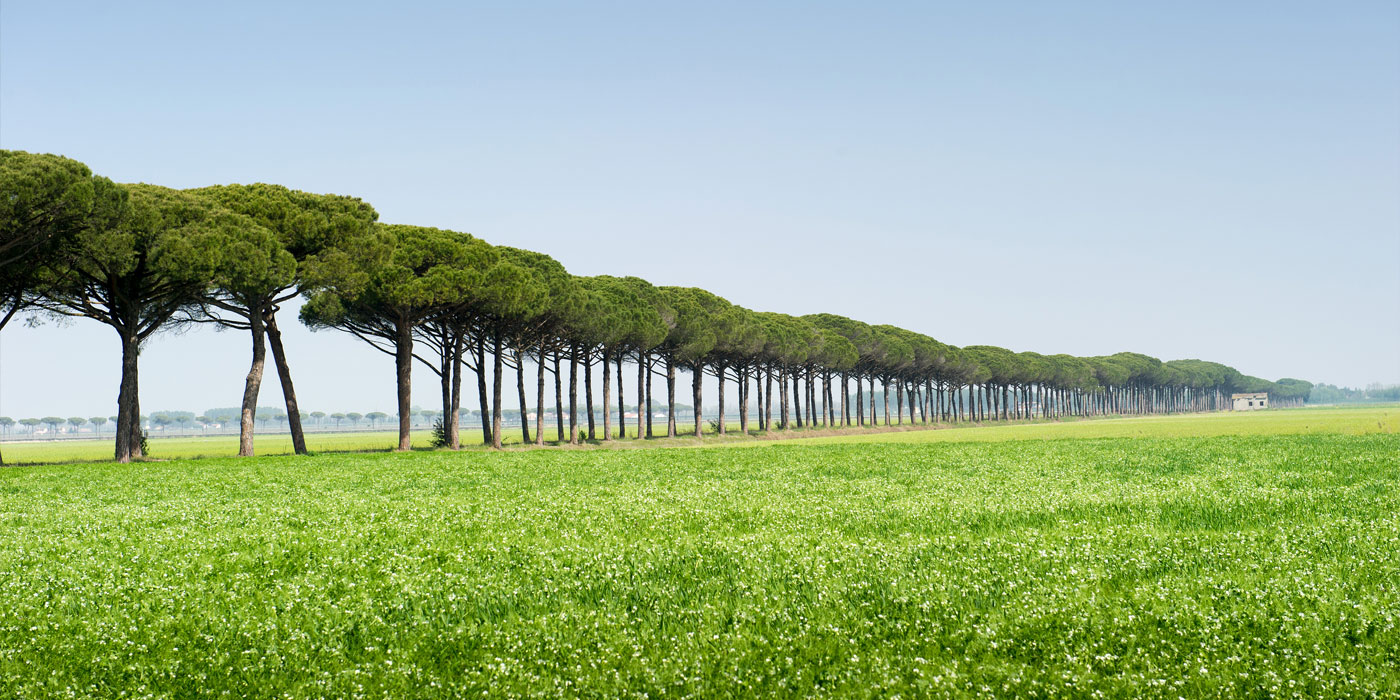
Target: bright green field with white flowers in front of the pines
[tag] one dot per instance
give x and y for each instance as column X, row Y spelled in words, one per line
column 1263, row 562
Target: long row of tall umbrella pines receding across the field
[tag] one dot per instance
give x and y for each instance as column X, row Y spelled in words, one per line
column 143, row 258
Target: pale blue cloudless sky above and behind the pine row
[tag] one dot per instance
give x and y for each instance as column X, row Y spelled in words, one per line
column 1182, row 180
